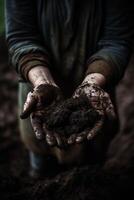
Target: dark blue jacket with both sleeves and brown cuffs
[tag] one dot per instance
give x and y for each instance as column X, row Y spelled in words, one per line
column 69, row 36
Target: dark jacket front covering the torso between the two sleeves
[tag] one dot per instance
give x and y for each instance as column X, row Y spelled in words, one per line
column 70, row 30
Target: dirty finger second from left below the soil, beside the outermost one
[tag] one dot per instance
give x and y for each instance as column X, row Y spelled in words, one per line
column 50, row 138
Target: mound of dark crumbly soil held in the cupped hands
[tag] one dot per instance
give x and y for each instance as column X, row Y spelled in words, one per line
column 71, row 116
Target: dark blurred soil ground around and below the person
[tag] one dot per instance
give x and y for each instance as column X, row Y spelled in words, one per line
column 112, row 180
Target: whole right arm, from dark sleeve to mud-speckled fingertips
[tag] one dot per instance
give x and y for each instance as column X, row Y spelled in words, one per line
column 106, row 66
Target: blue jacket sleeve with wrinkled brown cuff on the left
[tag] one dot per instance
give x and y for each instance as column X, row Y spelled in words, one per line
column 23, row 37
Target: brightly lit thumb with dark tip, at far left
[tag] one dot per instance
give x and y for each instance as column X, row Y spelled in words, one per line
column 28, row 106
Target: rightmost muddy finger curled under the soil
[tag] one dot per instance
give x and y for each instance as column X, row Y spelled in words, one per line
column 97, row 128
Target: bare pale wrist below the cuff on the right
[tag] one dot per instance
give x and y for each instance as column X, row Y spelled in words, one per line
column 95, row 78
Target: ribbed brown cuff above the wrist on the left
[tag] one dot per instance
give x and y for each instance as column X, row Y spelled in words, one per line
column 30, row 61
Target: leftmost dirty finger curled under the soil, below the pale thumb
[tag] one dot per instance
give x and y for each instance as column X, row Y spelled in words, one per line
column 37, row 127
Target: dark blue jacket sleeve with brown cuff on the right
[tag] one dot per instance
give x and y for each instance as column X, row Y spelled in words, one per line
column 113, row 48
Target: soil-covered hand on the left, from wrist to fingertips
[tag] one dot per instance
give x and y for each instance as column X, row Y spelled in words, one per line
column 42, row 96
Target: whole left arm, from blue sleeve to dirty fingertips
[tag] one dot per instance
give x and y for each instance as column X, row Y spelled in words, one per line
column 31, row 61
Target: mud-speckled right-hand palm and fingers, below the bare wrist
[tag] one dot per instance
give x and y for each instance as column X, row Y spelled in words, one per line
column 101, row 102
